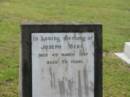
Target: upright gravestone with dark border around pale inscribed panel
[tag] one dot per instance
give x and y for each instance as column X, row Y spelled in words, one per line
column 61, row 61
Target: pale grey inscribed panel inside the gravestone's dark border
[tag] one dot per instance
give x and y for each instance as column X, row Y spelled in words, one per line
column 63, row 64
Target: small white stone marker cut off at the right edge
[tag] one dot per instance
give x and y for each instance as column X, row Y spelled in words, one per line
column 125, row 55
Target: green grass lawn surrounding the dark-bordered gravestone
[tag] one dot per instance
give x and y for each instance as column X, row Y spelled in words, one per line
column 113, row 14
